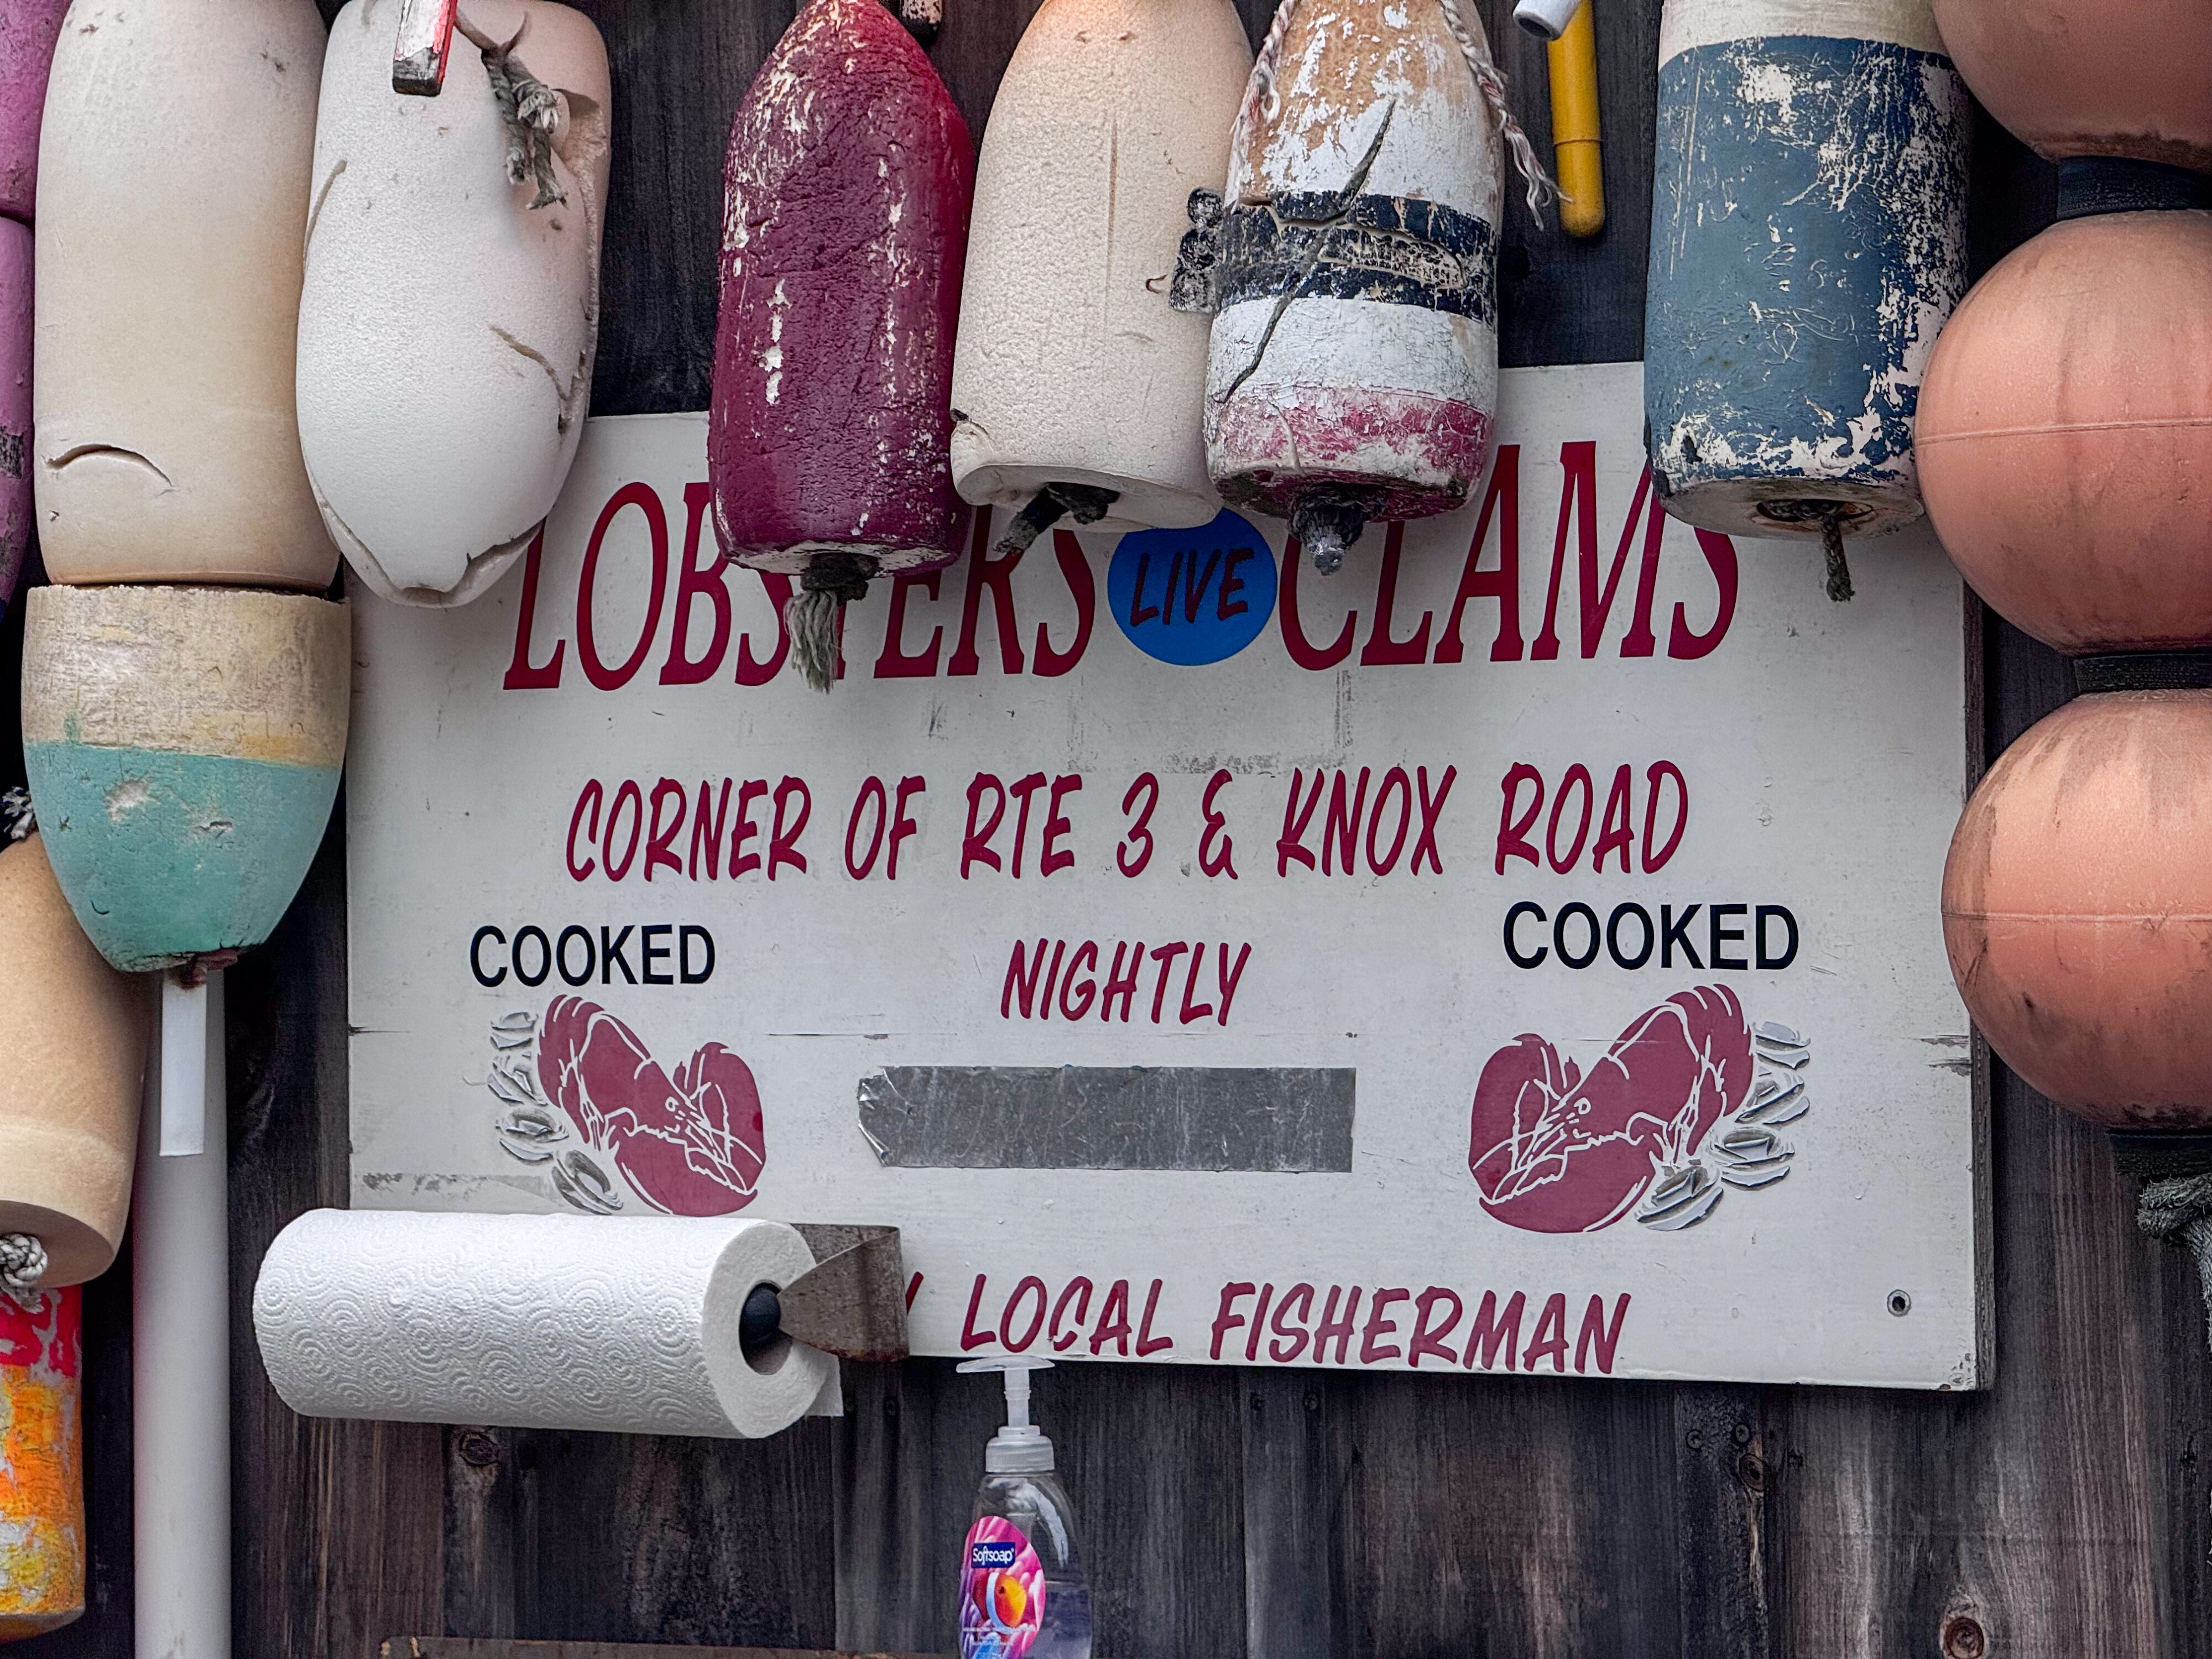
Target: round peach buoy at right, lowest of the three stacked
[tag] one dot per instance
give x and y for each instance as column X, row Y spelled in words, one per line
column 2078, row 908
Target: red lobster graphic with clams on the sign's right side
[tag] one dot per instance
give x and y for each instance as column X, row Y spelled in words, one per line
column 1556, row 1151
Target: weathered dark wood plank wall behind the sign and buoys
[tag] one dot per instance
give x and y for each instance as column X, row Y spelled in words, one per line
column 2058, row 1516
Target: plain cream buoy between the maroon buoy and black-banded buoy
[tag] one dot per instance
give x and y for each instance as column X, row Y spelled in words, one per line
column 1078, row 388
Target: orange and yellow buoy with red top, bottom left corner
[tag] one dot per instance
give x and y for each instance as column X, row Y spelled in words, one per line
column 41, row 1463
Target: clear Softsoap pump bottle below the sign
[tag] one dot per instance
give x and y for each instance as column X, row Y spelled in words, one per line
column 1023, row 1589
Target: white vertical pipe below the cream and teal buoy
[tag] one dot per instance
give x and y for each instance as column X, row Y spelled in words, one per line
column 180, row 1348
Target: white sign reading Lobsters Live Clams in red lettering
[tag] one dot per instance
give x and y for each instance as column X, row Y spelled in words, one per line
column 1512, row 954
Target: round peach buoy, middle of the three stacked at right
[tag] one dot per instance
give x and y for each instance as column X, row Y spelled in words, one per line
column 2067, row 435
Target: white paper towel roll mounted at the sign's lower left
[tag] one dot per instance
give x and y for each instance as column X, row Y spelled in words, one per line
column 614, row 1324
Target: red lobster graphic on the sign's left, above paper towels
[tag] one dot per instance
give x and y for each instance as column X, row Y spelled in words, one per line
column 693, row 1145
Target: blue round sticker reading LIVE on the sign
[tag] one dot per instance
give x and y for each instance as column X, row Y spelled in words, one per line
column 1193, row 596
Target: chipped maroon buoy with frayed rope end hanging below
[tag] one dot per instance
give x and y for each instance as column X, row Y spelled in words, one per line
column 846, row 213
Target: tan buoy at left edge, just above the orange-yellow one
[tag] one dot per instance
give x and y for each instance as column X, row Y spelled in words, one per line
column 70, row 1098
